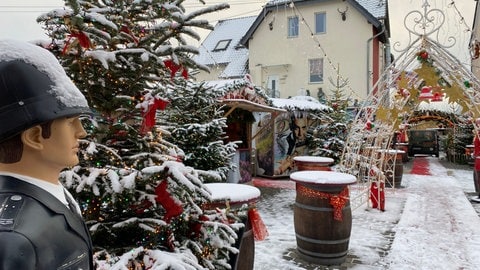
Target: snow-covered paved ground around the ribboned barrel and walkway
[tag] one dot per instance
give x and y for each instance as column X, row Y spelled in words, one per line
column 429, row 223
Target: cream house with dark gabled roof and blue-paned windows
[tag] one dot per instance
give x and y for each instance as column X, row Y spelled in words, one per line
column 295, row 46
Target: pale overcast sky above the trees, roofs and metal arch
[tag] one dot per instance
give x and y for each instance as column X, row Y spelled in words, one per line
column 17, row 17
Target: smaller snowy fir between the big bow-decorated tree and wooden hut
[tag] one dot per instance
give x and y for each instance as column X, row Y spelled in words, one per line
column 196, row 123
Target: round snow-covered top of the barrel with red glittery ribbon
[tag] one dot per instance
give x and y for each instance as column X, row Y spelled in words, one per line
column 323, row 177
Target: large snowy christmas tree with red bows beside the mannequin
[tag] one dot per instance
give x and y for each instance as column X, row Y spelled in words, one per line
column 144, row 207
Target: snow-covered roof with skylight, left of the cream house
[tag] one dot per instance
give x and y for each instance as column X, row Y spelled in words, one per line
column 222, row 47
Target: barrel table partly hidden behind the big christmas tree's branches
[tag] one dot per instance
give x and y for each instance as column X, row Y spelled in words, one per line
column 237, row 195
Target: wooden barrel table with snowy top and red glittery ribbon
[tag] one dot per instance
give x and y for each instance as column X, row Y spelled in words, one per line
column 322, row 228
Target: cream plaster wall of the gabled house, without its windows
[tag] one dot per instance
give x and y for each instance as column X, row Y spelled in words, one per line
column 344, row 43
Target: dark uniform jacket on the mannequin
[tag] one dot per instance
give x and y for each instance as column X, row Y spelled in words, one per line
column 37, row 231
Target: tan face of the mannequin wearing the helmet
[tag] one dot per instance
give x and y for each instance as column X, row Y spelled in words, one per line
column 61, row 149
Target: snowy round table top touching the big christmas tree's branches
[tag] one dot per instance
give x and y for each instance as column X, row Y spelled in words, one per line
column 233, row 192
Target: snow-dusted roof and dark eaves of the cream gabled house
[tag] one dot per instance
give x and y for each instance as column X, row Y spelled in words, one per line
column 373, row 10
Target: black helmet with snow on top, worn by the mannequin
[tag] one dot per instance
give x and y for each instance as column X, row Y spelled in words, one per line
column 34, row 88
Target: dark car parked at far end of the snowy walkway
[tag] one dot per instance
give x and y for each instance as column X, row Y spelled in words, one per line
column 423, row 142
